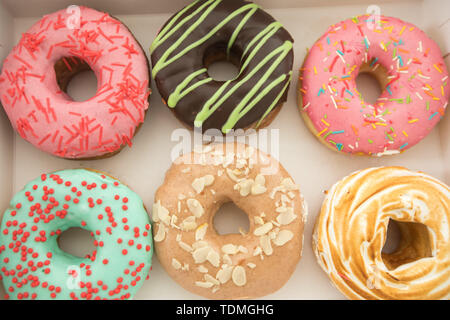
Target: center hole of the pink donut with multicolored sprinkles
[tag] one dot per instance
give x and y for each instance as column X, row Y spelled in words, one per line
column 371, row 81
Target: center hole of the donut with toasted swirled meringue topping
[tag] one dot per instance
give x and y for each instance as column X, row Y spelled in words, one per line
column 406, row 242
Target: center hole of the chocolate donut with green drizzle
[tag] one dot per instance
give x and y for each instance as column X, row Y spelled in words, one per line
column 222, row 67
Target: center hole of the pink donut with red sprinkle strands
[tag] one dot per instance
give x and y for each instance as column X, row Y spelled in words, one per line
column 76, row 78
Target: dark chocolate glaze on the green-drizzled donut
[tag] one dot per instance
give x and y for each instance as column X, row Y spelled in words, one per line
column 214, row 48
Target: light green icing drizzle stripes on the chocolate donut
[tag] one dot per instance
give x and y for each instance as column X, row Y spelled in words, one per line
column 224, row 92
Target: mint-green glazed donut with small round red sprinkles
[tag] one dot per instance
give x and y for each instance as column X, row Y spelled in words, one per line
column 32, row 264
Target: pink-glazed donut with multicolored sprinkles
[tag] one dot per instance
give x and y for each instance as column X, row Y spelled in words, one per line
column 407, row 64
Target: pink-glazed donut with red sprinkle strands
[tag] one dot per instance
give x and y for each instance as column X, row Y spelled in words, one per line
column 35, row 75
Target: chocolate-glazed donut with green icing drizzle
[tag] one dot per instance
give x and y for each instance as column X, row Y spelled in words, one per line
column 207, row 31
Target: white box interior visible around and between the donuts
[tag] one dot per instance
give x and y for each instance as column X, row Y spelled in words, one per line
column 142, row 167
